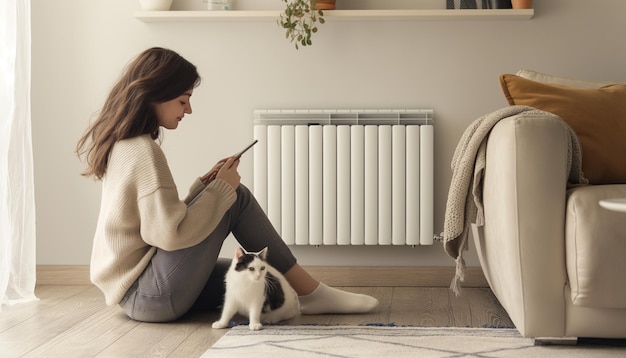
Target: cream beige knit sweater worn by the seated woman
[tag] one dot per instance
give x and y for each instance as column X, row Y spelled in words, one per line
column 141, row 211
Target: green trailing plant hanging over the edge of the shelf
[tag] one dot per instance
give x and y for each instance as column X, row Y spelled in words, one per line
column 300, row 20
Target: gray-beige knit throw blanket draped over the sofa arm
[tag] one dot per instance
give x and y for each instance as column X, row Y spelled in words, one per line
column 464, row 205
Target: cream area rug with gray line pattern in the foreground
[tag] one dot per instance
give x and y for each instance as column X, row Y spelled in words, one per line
column 390, row 342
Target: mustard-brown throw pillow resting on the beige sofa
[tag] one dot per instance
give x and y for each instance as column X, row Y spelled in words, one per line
column 597, row 115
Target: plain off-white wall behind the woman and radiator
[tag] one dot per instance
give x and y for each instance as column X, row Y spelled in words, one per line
column 80, row 47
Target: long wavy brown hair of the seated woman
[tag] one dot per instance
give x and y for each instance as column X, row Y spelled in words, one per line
column 157, row 75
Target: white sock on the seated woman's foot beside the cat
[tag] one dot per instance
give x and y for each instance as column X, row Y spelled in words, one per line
column 326, row 299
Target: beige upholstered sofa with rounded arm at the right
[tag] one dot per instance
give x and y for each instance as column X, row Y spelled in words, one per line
column 555, row 259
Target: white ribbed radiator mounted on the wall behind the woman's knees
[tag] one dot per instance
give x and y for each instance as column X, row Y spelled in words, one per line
column 346, row 177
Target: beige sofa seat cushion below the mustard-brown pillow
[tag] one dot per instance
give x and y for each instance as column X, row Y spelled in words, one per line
column 595, row 246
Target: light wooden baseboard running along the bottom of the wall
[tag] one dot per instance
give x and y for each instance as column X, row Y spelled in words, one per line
column 331, row 275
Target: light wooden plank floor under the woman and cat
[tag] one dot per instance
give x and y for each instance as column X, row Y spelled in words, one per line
column 73, row 321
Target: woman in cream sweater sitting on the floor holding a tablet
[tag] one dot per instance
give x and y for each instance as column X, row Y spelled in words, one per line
column 157, row 256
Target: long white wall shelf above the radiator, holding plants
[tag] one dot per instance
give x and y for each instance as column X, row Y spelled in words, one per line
column 338, row 15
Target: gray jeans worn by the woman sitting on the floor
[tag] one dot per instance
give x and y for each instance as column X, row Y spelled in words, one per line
column 176, row 281
